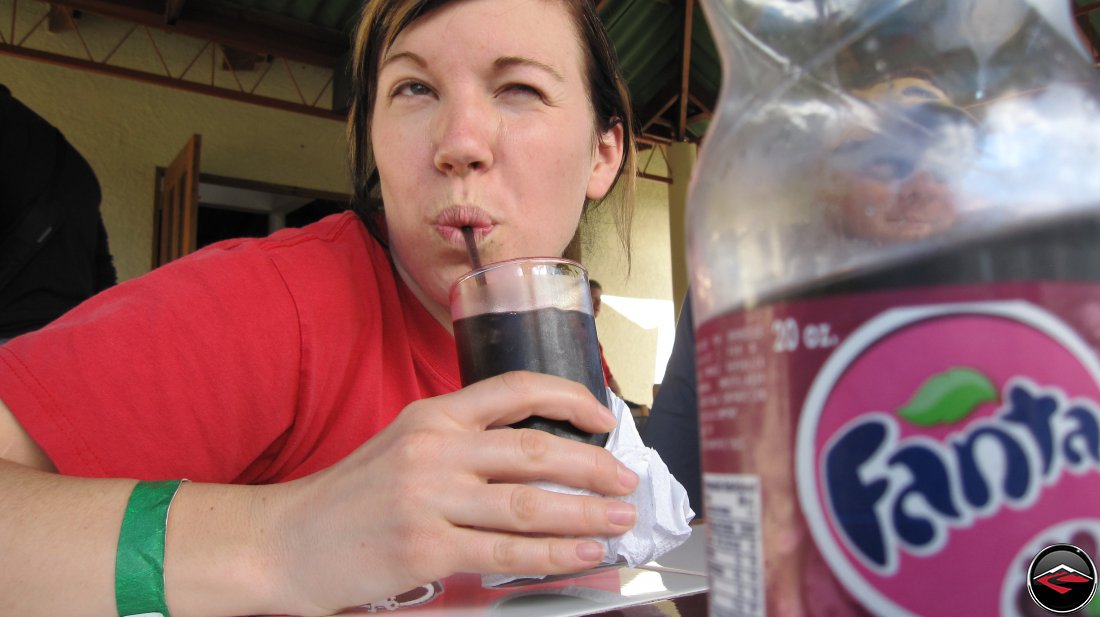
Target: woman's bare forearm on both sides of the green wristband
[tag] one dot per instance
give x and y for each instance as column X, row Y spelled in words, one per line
column 61, row 537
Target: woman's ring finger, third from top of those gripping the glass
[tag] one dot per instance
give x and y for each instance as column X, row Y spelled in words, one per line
column 527, row 510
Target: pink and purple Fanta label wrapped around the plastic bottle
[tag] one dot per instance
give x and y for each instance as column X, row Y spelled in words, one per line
column 929, row 443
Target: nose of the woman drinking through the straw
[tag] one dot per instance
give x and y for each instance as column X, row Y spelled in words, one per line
column 465, row 135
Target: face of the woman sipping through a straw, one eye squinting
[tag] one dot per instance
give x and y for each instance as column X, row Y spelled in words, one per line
column 482, row 119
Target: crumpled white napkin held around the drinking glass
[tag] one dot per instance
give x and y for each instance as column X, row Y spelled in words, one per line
column 661, row 500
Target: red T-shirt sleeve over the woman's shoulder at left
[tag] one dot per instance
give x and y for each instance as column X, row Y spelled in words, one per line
column 191, row 371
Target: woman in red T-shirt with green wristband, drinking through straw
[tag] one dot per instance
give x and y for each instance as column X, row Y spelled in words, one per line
column 306, row 382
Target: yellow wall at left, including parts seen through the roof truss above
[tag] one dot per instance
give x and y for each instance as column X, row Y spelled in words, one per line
column 126, row 129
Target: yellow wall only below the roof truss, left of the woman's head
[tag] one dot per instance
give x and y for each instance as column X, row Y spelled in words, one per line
column 127, row 129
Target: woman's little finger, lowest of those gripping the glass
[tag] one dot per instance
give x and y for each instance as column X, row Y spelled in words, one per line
column 492, row 553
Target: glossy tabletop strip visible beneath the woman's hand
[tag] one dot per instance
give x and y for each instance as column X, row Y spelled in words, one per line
column 675, row 585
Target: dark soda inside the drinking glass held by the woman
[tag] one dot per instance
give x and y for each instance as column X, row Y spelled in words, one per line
column 553, row 341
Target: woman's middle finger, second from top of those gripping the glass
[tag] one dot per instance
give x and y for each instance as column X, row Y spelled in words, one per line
column 520, row 456
